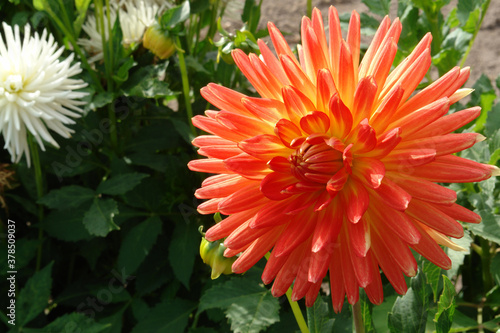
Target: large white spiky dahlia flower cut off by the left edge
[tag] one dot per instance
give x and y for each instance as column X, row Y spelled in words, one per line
column 37, row 92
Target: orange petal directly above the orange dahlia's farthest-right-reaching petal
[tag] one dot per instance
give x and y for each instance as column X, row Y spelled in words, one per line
column 445, row 144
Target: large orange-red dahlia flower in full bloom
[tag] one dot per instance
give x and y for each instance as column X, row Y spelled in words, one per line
column 334, row 168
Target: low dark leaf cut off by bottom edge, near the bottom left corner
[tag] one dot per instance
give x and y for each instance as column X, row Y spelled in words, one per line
column 74, row 322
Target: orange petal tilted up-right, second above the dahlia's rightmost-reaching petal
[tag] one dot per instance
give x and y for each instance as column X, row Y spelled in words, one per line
column 448, row 123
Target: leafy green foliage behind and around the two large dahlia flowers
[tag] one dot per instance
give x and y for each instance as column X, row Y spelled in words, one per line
column 109, row 242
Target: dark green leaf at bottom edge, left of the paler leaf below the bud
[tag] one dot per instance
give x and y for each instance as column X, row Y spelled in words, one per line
column 169, row 316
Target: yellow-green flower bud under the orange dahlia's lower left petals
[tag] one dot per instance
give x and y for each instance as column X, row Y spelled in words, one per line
column 212, row 254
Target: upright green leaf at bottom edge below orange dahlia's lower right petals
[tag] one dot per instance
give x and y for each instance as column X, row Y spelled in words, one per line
column 409, row 313
